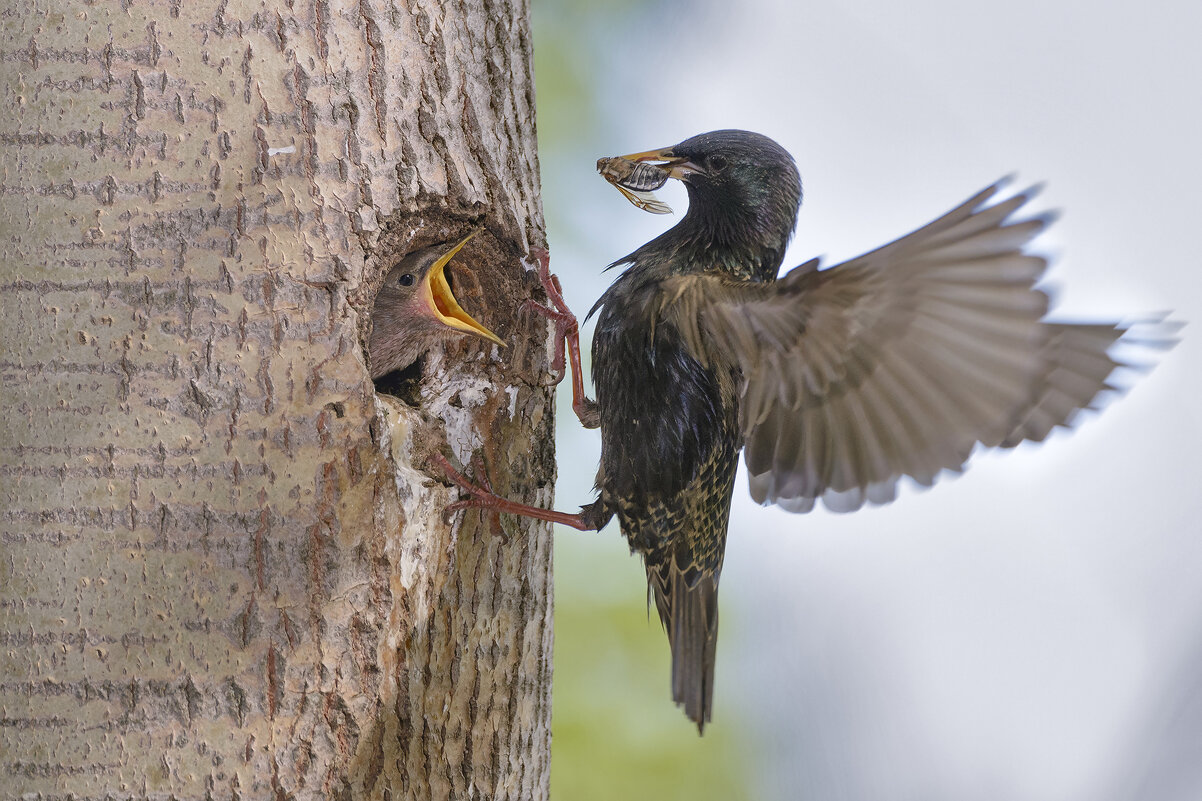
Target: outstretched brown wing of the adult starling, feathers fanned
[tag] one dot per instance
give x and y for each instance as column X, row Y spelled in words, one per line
column 896, row 364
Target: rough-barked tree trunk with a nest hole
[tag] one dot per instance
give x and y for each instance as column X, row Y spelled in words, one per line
column 225, row 572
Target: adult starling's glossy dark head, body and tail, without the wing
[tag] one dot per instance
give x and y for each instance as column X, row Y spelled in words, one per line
column 670, row 417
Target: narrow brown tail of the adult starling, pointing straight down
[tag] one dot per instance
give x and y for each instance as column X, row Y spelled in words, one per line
column 688, row 608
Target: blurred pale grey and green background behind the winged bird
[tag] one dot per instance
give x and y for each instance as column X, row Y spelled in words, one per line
column 1032, row 630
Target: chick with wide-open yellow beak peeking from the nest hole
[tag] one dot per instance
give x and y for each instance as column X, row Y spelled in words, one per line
column 415, row 310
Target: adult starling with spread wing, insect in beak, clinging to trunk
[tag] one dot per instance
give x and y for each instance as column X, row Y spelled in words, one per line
column 834, row 383
